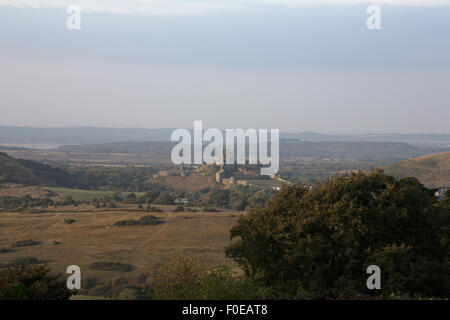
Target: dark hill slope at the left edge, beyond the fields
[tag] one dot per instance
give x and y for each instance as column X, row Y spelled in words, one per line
column 32, row 173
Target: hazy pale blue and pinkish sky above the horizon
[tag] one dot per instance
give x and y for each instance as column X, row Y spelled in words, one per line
column 293, row 65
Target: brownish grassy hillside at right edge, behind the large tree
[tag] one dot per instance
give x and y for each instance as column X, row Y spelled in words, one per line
column 432, row 170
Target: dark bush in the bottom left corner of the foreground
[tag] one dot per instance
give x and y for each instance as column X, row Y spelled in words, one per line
column 32, row 283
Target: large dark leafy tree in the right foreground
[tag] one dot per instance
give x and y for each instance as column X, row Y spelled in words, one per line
column 319, row 242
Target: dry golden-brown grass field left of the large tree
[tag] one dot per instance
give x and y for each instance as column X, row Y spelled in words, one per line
column 93, row 238
